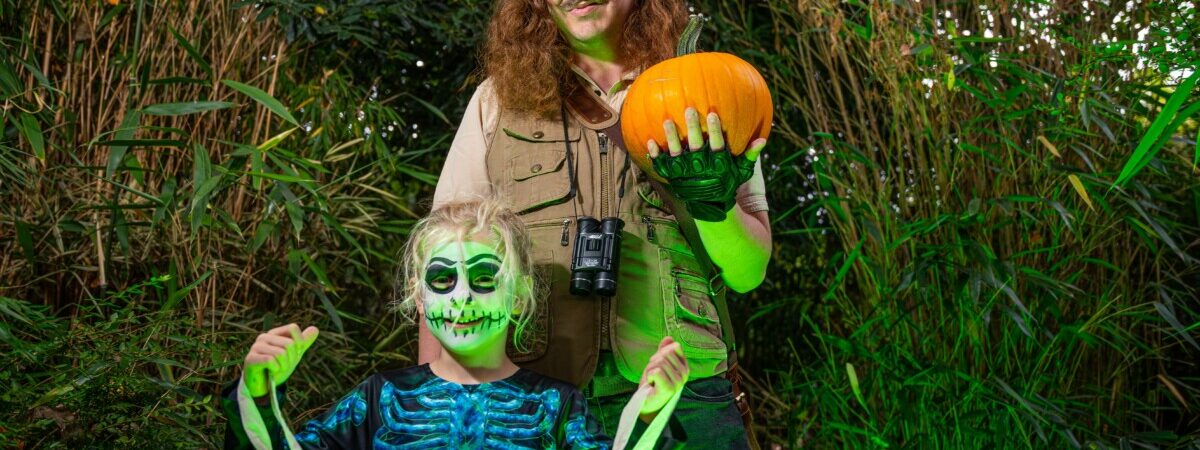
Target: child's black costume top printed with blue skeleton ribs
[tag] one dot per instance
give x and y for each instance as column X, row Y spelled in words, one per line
column 412, row 409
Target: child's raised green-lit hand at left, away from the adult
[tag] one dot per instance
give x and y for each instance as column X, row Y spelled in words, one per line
column 277, row 352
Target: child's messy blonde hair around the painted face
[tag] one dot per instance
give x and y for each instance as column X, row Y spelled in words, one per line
column 457, row 223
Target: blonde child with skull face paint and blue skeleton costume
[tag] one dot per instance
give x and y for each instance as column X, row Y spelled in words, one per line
column 466, row 275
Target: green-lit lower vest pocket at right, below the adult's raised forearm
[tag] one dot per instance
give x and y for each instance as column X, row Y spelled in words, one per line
column 692, row 315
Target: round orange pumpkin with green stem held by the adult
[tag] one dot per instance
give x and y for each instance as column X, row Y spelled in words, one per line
column 710, row 82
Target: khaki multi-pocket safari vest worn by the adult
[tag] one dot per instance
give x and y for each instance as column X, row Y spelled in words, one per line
column 663, row 287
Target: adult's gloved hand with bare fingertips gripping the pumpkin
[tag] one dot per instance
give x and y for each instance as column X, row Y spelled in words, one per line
column 707, row 178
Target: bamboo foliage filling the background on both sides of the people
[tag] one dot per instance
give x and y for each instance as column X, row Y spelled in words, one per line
column 985, row 213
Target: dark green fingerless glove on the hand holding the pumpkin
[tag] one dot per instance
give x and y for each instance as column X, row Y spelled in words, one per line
column 707, row 182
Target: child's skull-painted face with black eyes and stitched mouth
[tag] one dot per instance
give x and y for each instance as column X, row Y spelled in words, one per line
column 466, row 307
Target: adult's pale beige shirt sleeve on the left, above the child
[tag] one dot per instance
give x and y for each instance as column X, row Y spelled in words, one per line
column 465, row 173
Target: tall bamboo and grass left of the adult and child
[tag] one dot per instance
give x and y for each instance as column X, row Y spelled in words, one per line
column 256, row 176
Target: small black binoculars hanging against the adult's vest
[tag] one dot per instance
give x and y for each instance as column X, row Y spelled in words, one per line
column 596, row 256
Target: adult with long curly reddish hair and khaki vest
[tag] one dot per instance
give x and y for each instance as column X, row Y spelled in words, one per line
column 543, row 131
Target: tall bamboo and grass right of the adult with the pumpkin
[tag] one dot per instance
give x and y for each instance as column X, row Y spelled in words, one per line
column 987, row 275
